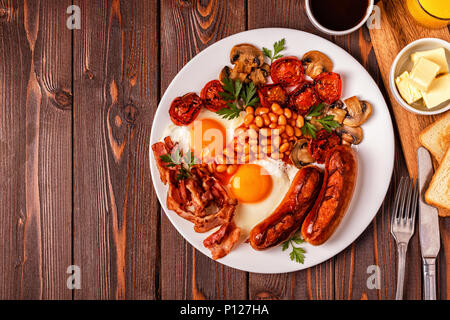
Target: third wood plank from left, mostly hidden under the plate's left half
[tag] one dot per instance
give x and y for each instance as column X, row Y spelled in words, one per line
column 189, row 27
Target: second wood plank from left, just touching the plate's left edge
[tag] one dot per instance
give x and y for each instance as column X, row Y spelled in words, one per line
column 115, row 90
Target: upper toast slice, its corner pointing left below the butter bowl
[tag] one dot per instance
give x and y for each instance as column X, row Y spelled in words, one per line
column 436, row 137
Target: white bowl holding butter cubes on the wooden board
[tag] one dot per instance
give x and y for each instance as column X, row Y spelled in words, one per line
column 403, row 63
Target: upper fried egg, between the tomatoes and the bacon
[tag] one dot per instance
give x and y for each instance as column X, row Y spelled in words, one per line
column 206, row 135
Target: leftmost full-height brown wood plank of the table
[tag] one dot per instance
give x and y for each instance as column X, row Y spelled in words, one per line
column 35, row 150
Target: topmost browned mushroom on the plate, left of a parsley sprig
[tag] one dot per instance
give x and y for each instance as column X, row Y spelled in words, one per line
column 245, row 57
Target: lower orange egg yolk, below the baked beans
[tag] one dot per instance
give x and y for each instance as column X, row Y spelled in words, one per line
column 251, row 183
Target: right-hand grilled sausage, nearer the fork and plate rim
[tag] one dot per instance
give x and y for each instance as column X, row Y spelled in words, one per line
column 335, row 195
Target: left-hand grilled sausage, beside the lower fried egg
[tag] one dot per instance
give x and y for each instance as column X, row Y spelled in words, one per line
column 288, row 216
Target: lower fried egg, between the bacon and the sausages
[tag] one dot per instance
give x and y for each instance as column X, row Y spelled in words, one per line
column 259, row 187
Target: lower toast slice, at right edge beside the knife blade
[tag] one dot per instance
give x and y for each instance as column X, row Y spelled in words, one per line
column 438, row 193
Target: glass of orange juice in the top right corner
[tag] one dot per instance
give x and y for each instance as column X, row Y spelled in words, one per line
column 433, row 14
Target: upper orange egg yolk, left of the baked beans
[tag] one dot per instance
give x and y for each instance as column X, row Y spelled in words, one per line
column 208, row 138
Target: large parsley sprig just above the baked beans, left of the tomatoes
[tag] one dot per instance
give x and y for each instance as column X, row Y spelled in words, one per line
column 239, row 95
